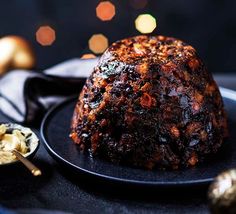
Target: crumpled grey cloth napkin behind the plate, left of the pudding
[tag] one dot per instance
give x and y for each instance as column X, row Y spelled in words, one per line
column 25, row 96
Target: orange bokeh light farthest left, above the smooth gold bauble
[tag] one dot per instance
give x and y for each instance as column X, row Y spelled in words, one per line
column 45, row 35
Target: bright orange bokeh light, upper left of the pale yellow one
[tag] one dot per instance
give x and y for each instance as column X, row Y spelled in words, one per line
column 105, row 11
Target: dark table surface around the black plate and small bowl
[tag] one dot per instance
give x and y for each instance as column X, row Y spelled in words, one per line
column 60, row 189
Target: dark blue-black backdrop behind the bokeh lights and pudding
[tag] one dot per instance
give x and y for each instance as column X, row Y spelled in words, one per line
column 209, row 25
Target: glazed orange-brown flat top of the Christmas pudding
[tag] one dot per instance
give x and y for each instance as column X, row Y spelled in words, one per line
column 150, row 49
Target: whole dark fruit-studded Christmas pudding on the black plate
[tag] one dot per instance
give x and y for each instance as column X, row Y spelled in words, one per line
column 151, row 103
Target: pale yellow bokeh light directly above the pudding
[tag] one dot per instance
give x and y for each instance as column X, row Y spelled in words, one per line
column 145, row 23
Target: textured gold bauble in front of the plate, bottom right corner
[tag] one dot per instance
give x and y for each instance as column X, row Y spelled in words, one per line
column 222, row 193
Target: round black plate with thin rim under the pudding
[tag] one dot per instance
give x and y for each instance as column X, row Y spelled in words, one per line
column 55, row 131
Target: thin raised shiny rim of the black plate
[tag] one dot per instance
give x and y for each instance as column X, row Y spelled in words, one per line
column 64, row 161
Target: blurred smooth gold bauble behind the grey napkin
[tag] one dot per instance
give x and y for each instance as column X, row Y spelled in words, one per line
column 15, row 53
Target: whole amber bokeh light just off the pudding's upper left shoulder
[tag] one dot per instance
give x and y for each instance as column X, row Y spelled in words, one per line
column 98, row 43
